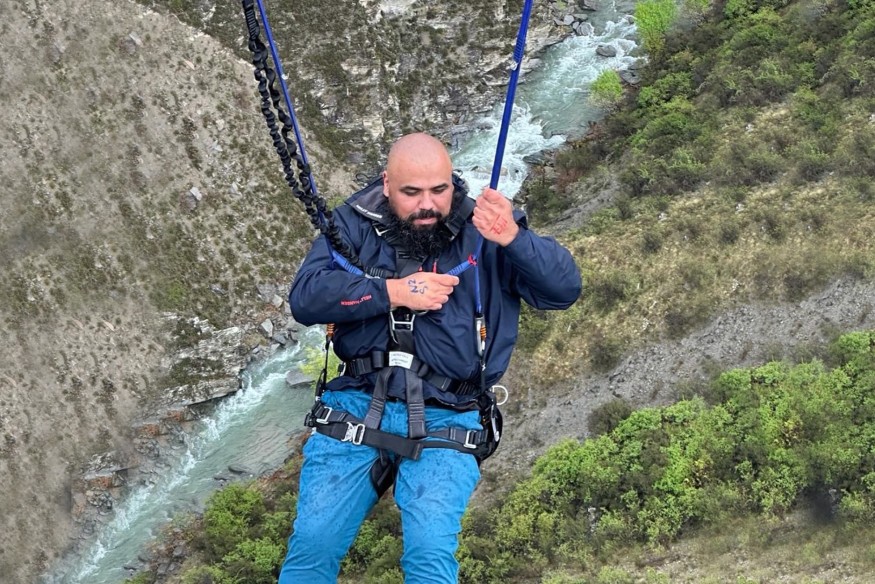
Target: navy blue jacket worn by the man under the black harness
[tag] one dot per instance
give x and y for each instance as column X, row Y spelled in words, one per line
column 532, row 268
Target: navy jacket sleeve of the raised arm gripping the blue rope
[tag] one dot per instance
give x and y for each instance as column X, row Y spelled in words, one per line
column 543, row 272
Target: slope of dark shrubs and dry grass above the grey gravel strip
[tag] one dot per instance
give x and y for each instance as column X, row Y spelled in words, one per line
column 742, row 170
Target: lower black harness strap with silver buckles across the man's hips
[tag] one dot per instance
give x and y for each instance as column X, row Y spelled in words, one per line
column 347, row 428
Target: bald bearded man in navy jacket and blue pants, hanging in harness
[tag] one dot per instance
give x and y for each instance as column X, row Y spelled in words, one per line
column 414, row 370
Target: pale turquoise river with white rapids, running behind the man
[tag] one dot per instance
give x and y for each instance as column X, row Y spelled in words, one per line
column 253, row 427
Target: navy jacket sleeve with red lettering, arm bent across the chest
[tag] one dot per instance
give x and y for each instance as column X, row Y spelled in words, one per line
column 323, row 292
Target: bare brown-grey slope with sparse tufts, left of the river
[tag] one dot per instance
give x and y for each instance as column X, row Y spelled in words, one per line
column 128, row 137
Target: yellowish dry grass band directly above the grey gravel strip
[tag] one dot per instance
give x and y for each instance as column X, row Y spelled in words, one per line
column 788, row 241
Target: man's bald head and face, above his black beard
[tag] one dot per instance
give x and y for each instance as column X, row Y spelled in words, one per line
column 419, row 179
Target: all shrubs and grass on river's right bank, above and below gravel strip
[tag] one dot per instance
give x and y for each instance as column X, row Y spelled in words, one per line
column 741, row 170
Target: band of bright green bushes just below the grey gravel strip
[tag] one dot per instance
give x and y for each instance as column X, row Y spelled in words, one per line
column 775, row 433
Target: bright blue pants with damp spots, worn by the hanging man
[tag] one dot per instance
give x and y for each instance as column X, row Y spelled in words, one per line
column 336, row 494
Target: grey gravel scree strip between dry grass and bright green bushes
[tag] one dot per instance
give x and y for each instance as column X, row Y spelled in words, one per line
column 749, row 335
